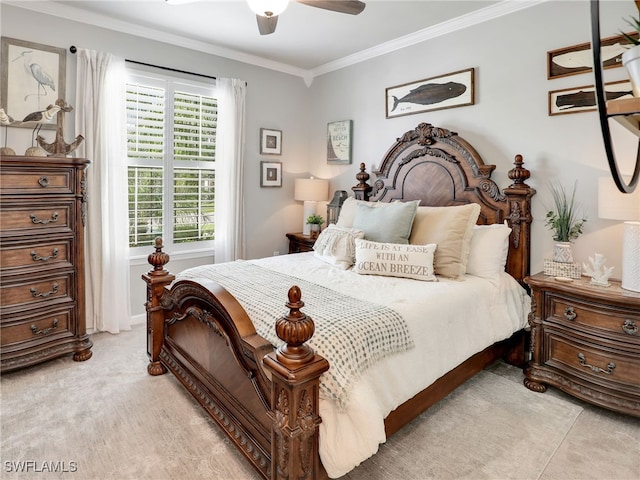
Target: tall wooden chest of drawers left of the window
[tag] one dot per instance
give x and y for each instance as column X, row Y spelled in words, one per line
column 42, row 295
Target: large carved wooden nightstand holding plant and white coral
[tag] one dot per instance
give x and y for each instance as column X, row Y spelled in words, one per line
column 585, row 340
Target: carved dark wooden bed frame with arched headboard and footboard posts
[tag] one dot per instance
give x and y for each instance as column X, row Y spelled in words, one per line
column 266, row 400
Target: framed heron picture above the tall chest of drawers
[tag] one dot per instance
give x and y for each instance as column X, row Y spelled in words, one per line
column 33, row 77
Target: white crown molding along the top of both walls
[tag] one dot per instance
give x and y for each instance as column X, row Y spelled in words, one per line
column 67, row 12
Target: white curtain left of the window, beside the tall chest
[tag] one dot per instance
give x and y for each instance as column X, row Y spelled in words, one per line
column 100, row 118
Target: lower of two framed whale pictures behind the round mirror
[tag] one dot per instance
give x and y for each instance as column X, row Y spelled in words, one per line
column 583, row 99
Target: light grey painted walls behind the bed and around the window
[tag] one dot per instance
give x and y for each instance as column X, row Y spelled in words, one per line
column 509, row 117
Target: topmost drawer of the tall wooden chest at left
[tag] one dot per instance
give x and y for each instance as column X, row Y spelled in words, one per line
column 41, row 182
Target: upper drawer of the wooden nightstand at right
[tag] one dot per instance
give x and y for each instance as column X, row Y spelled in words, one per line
column 600, row 319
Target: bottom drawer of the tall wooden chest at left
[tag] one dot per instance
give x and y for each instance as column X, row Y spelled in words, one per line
column 36, row 328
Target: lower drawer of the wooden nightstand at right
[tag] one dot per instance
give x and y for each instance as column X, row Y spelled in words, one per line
column 596, row 365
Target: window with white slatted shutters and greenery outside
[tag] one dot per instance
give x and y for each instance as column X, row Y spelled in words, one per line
column 171, row 131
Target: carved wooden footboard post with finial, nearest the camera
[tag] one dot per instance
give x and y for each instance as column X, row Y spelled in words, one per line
column 295, row 410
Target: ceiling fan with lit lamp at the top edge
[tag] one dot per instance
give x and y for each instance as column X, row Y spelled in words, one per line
column 267, row 11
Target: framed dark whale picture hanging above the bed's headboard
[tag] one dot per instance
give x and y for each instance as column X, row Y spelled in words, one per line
column 436, row 93
